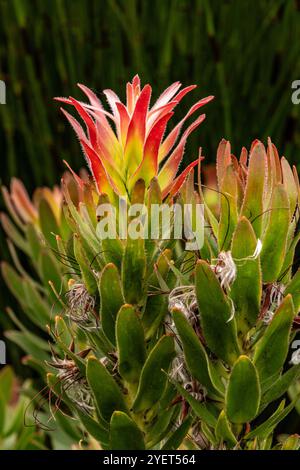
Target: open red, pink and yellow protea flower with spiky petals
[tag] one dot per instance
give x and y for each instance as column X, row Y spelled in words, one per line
column 137, row 148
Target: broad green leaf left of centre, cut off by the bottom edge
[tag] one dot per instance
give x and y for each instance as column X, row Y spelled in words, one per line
column 124, row 433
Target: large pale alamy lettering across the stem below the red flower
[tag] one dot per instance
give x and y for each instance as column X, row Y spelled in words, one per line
column 155, row 222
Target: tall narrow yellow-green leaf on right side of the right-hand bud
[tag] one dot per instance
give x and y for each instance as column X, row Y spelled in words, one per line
column 275, row 236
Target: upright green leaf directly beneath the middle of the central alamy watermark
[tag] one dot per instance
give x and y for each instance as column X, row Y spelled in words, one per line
column 134, row 270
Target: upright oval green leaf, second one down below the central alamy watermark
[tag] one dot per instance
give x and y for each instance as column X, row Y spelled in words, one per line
column 130, row 344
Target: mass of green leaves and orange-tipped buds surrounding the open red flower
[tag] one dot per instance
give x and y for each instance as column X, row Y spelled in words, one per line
column 144, row 345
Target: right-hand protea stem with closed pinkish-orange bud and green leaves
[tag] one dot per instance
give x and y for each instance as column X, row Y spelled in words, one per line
column 237, row 308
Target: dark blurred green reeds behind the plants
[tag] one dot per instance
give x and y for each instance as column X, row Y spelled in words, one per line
column 245, row 52
